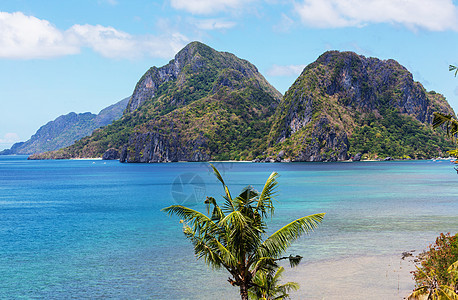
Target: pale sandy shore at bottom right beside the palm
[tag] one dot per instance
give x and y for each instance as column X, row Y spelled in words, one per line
column 365, row 277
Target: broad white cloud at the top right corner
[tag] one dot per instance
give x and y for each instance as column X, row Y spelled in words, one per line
column 434, row 15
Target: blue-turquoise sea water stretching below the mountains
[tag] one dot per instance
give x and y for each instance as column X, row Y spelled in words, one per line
column 94, row 229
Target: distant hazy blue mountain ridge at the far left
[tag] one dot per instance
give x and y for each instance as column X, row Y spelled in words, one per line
column 66, row 129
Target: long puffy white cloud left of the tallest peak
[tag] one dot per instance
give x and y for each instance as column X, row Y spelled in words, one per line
column 27, row 37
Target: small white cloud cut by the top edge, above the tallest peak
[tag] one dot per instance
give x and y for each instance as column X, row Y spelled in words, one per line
column 208, row 6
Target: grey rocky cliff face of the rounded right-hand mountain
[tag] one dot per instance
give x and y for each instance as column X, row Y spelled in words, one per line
column 335, row 94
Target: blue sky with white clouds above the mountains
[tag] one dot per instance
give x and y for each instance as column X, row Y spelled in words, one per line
column 67, row 56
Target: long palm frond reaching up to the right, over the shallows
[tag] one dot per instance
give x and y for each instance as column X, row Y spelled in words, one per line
column 279, row 241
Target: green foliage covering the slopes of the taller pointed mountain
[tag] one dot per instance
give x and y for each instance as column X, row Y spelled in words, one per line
column 215, row 95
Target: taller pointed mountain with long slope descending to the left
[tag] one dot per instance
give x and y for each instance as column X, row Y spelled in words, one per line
column 203, row 105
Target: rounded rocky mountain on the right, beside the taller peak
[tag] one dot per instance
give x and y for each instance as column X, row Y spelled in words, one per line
column 344, row 104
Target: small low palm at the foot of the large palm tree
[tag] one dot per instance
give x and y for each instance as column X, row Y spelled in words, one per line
column 267, row 286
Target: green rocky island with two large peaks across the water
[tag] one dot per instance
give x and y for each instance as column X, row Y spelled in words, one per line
column 209, row 105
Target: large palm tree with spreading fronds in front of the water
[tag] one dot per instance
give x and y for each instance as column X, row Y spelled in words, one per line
column 233, row 236
